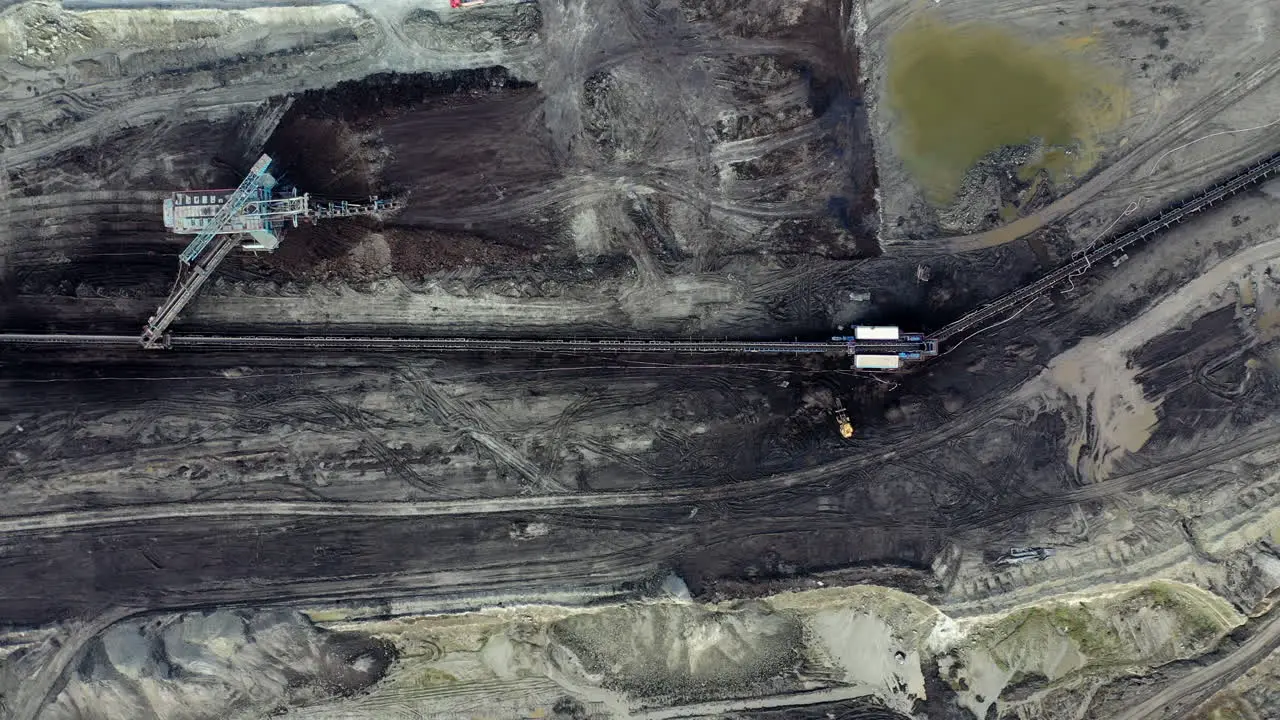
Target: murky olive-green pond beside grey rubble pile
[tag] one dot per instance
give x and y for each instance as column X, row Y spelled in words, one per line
column 959, row 93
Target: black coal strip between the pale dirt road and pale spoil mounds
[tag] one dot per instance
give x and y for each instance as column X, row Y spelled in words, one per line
column 185, row 564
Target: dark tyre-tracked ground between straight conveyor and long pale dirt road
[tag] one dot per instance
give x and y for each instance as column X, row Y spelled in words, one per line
column 221, row 429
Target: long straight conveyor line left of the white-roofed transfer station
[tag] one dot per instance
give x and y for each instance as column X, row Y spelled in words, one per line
column 468, row 345
